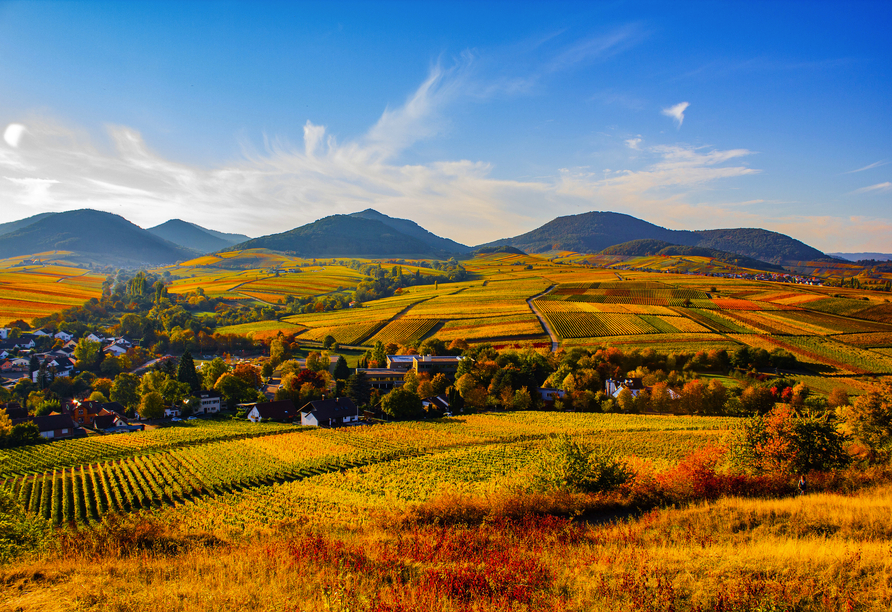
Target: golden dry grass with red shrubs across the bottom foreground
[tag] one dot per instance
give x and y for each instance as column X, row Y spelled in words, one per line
column 817, row 552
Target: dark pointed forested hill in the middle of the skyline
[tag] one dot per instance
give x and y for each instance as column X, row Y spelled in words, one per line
column 344, row 236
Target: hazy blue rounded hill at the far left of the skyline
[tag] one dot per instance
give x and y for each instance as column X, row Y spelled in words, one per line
column 93, row 236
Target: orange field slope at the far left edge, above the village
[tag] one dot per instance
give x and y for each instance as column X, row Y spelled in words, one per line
column 33, row 287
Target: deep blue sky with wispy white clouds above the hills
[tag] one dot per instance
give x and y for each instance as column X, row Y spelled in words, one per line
column 478, row 120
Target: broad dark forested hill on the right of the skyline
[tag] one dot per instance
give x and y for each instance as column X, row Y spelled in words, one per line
column 592, row 232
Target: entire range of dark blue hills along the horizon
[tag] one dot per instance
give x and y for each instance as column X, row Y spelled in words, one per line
column 110, row 239
